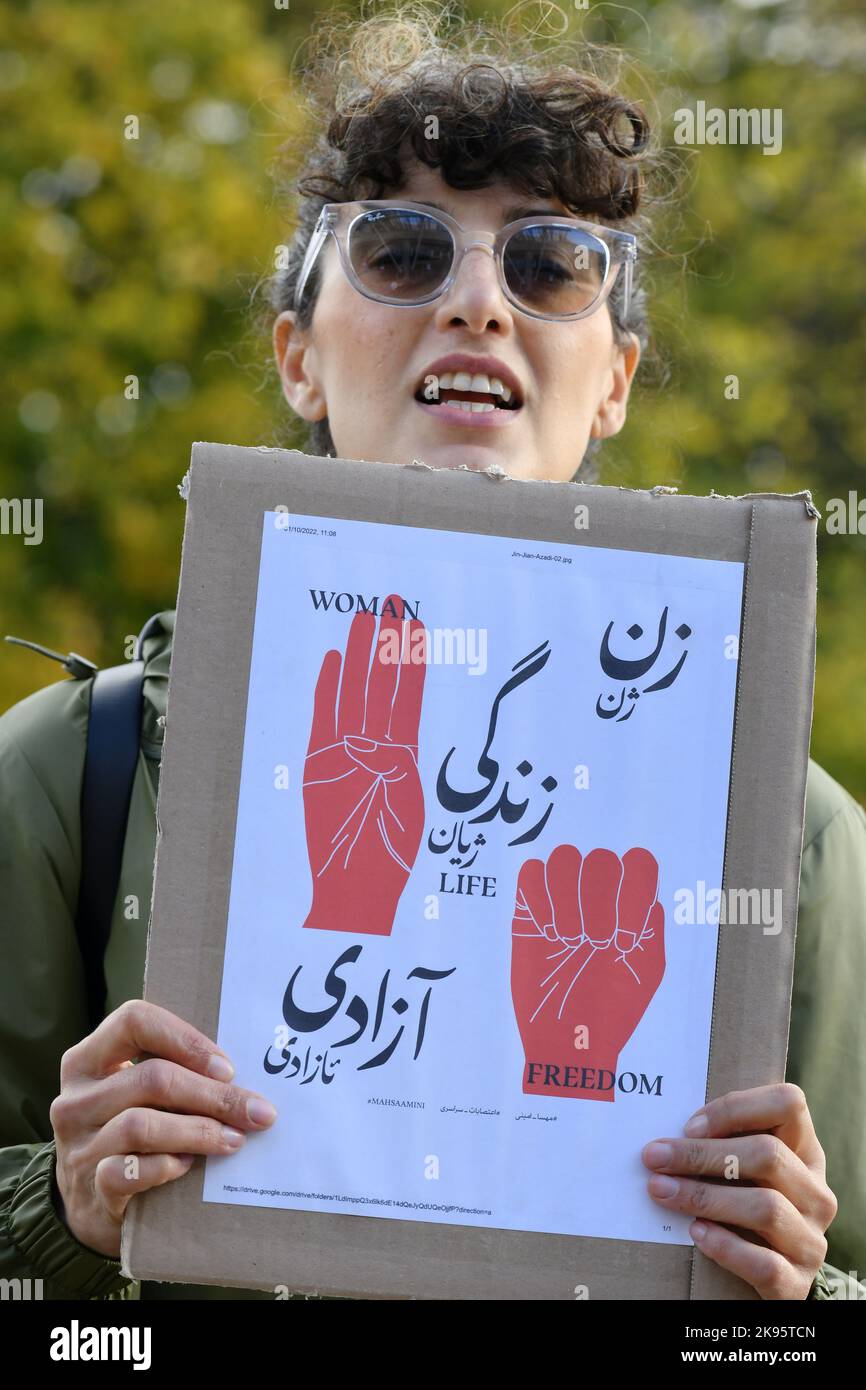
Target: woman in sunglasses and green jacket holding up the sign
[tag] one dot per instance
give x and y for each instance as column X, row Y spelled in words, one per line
column 451, row 358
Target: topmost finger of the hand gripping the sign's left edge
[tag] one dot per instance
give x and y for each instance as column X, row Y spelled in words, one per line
column 138, row 1029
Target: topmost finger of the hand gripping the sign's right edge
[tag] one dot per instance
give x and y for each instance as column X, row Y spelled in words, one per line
column 781, row 1107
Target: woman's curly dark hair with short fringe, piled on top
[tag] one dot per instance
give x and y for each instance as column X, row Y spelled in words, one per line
column 540, row 117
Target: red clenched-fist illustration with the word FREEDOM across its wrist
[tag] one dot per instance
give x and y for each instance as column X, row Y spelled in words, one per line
column 587, row 958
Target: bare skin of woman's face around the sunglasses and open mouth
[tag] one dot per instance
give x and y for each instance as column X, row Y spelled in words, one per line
column 362, row 363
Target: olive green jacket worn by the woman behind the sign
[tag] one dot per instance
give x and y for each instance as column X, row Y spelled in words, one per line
column 42, row 997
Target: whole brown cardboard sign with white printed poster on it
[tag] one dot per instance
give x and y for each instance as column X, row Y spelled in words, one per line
column 471, row 858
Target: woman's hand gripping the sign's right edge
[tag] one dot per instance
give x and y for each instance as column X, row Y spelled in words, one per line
column 768, row 1178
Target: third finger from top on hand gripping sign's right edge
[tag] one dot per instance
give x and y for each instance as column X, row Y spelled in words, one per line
column 760, row 1210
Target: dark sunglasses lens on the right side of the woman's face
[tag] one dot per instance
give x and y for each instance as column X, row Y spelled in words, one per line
column 555, row 270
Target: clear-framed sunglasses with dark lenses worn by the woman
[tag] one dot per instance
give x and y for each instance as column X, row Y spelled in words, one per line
column 407, row 255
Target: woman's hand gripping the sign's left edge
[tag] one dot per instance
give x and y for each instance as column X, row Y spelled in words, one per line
column 123, row 1128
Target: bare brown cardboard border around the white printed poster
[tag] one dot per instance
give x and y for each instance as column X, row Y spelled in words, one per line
column 170, row 1234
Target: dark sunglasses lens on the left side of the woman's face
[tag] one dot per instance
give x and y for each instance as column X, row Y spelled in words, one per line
column 401, row 255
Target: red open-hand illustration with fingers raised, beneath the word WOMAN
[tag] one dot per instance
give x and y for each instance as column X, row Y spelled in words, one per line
column 362, row 793
